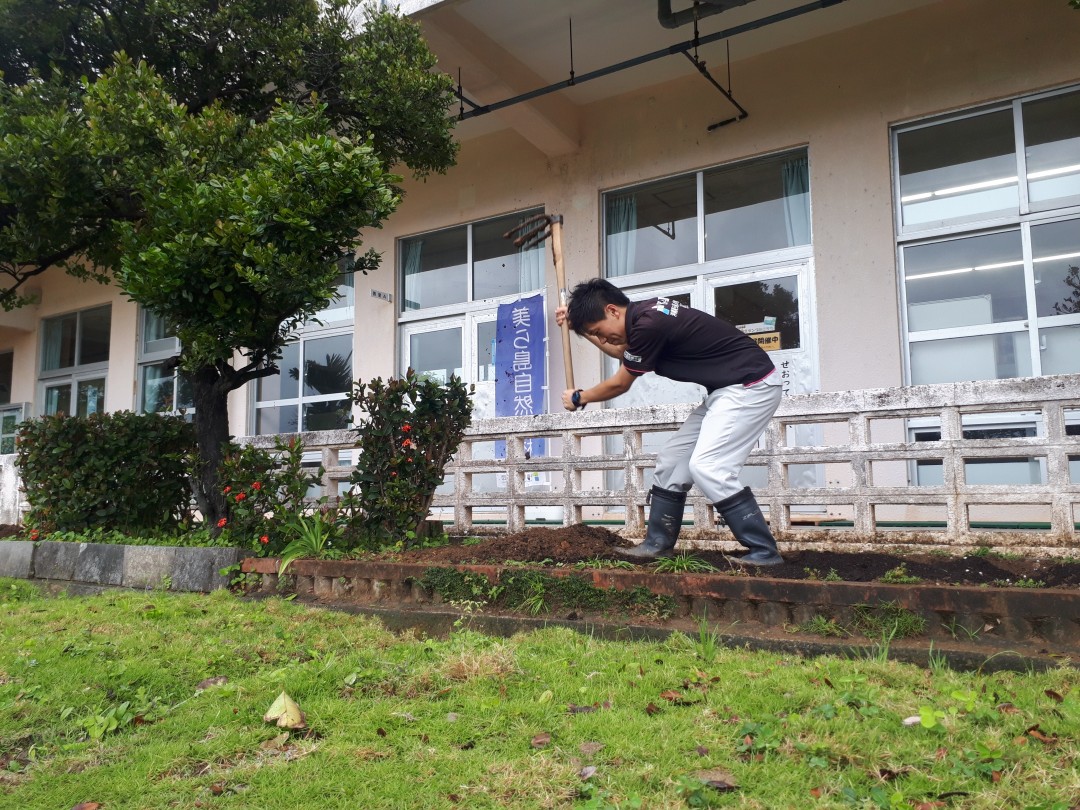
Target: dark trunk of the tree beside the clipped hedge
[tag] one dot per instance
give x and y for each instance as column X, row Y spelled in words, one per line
column 211, row 394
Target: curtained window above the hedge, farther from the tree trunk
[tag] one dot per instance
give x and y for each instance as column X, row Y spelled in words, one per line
column 75, row 357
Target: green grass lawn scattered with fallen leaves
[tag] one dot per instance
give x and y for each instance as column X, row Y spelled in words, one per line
column 157, row 700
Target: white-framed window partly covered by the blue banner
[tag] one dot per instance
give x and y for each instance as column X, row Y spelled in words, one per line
column 452, row 282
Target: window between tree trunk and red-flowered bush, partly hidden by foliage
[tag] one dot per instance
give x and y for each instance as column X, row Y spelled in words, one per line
column 312, row 390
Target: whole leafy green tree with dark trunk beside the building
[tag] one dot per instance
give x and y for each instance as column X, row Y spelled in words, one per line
column 218, row 161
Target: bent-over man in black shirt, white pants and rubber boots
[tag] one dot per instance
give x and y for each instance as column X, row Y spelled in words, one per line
column 742, row 394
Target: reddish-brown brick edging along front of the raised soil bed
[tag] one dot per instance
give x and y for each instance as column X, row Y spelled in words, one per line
column 1042, row 622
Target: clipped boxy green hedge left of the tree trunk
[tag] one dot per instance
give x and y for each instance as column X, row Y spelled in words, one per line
column 120, row 471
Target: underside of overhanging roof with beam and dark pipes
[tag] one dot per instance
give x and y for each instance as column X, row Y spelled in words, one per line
column 504, row 49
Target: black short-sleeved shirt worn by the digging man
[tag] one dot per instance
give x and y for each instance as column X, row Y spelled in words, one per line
column 691, row 346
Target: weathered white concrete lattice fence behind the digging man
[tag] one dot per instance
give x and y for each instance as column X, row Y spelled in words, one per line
column 838, row 470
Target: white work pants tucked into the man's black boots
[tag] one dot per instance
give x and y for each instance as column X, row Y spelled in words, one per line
column 715, row 441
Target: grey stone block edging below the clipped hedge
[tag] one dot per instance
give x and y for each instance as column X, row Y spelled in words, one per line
column 184, row 569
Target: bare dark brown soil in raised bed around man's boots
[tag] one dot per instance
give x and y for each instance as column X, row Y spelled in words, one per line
column 579, row 543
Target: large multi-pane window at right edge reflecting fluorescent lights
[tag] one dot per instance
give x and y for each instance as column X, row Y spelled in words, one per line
column 1004, row 301
